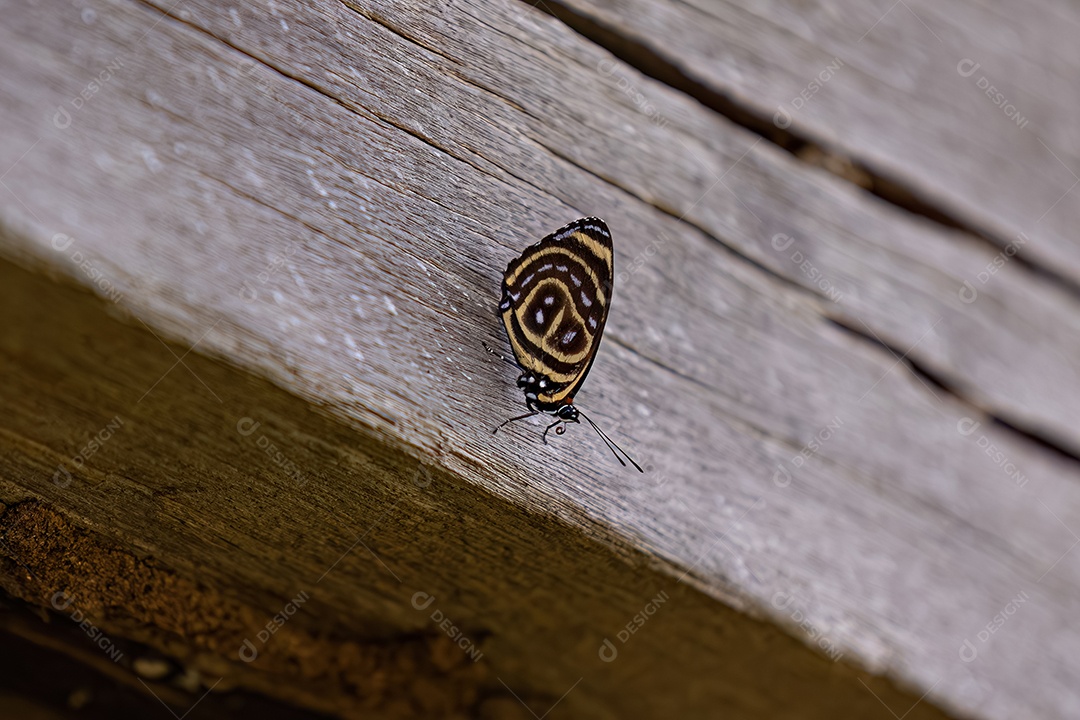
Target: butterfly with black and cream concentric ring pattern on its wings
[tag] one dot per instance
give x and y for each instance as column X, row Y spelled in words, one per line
column 556, row 298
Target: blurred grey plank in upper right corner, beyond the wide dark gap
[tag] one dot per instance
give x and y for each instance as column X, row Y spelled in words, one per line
column 968, row 107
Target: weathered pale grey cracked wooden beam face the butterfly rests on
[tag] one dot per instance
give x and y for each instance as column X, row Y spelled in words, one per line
column 326, row 195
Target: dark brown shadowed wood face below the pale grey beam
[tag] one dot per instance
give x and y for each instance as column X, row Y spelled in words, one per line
column 186, row 534
